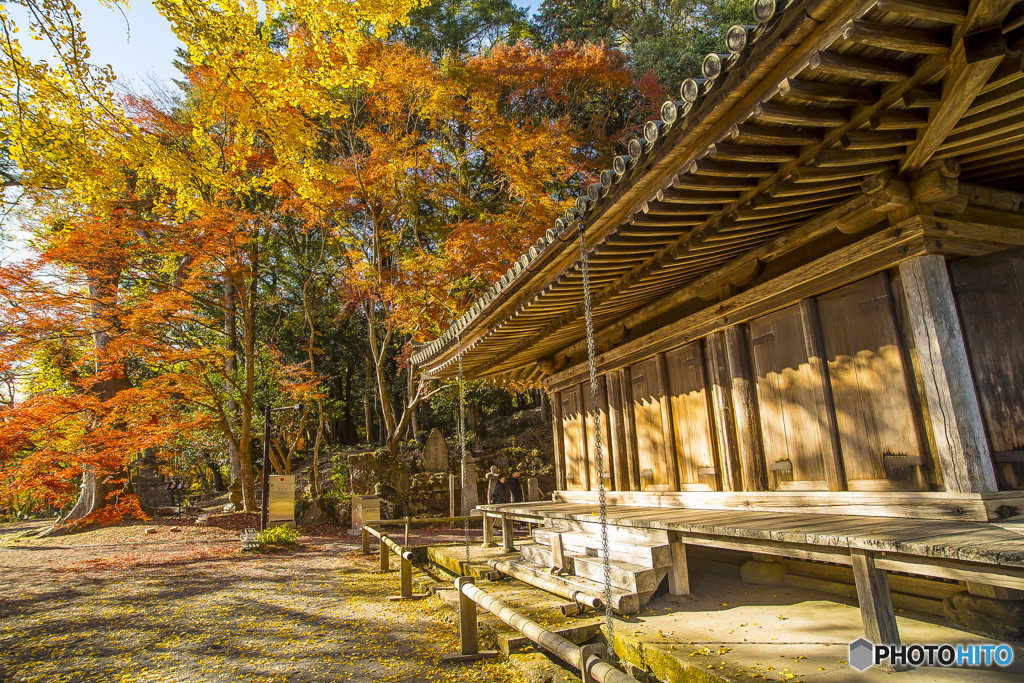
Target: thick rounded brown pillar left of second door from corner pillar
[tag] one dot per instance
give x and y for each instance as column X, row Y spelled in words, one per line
column 745, row 410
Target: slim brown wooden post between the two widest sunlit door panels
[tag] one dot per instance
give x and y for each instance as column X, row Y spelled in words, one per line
column 832, row 456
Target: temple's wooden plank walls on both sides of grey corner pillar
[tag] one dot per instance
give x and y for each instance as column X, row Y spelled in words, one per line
column 823, row 396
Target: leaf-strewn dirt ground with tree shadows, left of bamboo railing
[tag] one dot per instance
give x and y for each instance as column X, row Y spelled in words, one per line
column 206, row 613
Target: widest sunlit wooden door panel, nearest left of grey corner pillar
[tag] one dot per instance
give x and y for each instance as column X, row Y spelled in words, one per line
column 875, row 418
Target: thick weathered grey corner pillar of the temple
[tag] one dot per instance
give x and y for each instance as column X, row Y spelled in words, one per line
column 961, row 443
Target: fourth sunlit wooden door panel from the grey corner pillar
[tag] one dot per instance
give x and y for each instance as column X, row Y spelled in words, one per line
column 655, row 463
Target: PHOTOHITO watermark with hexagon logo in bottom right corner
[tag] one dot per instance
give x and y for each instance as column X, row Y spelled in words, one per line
column 865, row 655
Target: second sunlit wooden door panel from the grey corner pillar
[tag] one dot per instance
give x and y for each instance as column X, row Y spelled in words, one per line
column 789, row 399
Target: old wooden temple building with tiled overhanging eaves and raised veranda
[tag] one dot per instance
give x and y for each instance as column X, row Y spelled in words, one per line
column 808, row 307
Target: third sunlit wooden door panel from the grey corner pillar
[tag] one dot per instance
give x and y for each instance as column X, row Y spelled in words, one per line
column 692, row 418
